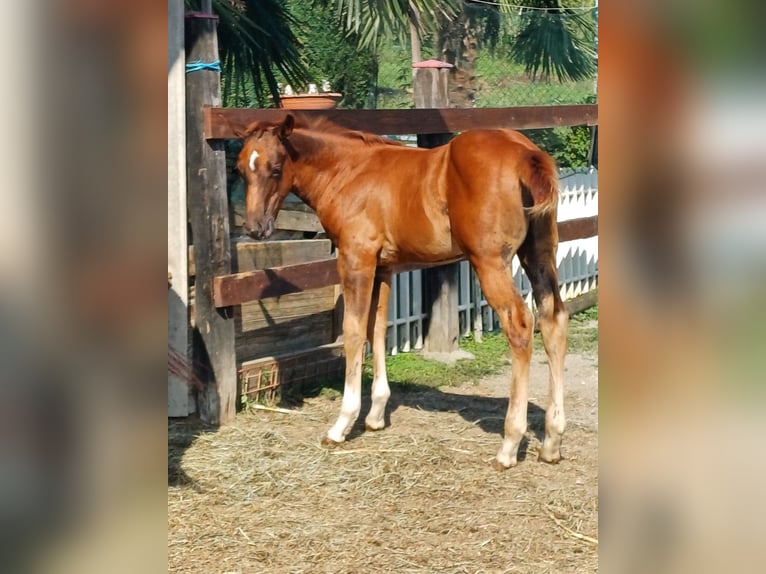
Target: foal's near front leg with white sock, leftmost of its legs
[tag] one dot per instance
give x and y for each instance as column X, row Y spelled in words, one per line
column 357, row 277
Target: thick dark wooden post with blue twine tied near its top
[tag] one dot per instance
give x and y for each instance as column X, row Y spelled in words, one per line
column 214, row 353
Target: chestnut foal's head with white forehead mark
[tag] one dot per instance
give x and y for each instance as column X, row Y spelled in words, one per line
column 262, row 165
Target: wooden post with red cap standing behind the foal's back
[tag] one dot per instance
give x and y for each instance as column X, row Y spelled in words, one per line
column 440, row 283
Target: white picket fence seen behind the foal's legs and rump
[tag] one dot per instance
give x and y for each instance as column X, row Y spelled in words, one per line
column 577, row 266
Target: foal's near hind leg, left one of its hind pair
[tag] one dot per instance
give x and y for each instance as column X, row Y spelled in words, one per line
column 517, row 322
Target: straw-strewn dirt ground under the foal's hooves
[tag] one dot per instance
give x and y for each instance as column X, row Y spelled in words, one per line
column 421, row 496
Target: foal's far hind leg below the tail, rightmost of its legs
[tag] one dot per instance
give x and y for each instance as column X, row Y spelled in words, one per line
column 538, row 258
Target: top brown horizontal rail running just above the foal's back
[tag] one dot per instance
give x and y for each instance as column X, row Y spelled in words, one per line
column 219, row 122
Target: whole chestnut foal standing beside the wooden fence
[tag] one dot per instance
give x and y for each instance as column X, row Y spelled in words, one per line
column 486, row 195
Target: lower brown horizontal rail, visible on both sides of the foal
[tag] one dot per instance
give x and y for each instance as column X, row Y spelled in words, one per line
column 239, row 288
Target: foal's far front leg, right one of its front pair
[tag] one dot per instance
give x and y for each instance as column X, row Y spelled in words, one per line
column 376, row 334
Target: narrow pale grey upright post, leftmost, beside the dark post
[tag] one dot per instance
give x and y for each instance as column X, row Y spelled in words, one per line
column 179, row 403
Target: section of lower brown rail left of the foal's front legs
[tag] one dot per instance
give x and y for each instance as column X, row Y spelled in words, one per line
column 240, row 287
